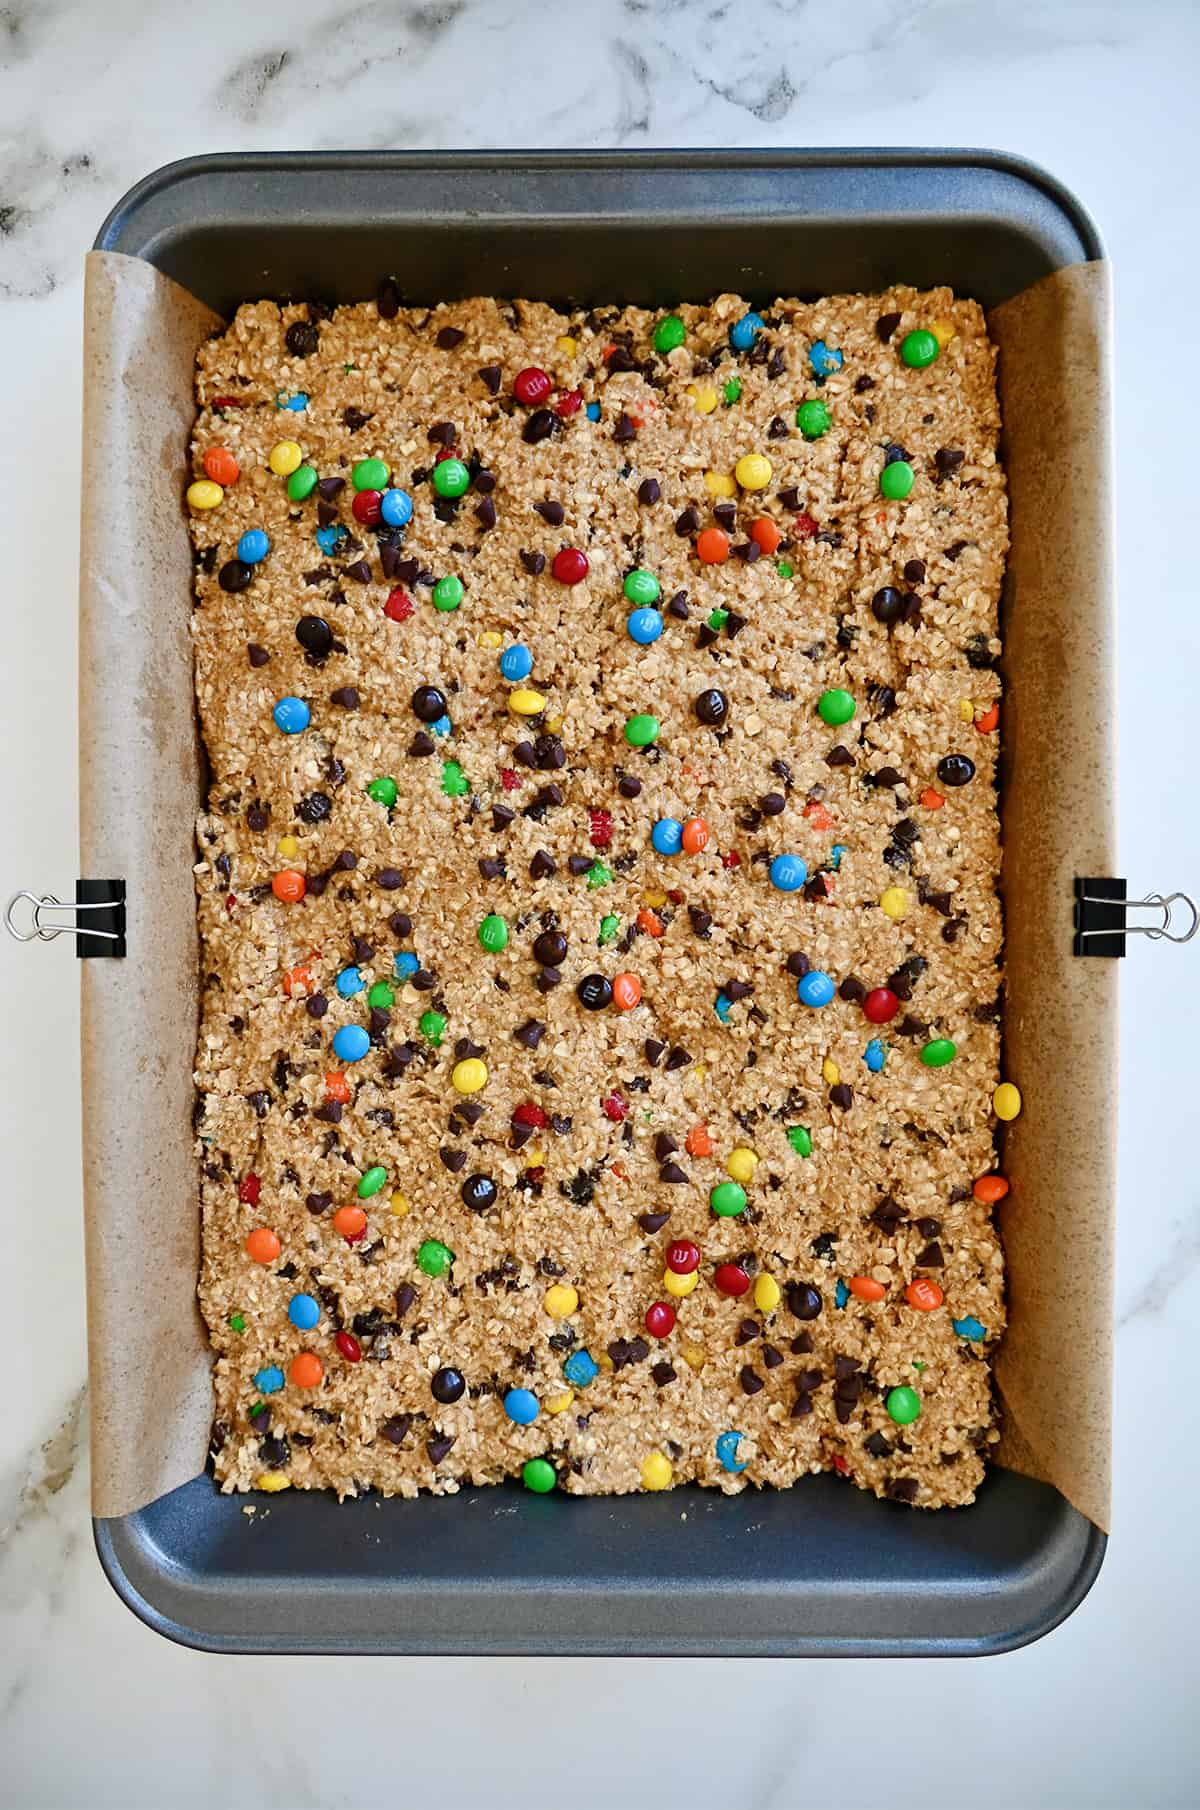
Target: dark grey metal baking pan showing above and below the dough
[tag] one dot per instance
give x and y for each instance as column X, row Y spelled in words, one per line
column 817, row 1570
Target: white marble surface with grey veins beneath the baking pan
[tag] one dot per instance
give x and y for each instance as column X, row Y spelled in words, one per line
column 93, row 1708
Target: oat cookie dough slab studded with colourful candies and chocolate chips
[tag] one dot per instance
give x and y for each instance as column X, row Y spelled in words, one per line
column 602, row 944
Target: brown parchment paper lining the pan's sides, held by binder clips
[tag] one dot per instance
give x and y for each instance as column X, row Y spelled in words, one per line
column 142, row 783
